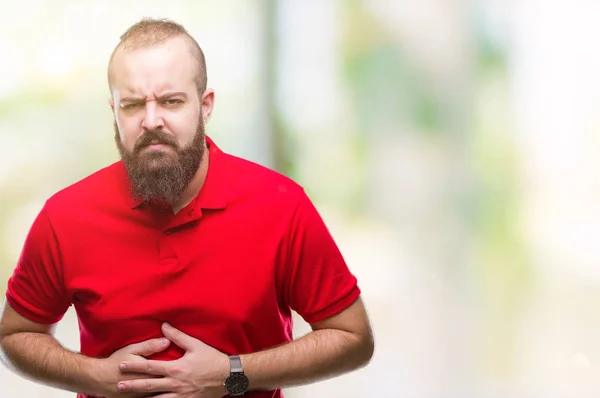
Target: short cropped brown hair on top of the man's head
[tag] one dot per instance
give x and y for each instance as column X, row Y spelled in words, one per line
column 149, row 32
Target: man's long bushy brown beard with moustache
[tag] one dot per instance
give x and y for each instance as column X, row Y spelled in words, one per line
column 161, row 175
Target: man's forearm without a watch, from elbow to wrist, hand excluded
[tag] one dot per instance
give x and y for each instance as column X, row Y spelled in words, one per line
column 41, row 357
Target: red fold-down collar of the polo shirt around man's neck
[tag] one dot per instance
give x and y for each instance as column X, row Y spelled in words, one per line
column 213, row 194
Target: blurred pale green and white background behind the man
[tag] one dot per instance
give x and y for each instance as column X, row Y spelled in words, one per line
column 450, row 145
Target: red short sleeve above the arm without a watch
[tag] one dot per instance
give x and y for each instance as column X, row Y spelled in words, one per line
column 36, row 288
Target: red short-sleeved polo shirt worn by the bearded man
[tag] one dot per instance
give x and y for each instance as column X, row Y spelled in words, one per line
column 227, row 269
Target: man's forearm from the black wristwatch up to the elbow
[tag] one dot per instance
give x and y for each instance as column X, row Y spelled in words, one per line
column 319, row 355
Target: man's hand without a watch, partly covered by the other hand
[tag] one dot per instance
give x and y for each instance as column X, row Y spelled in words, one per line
column 111, row 373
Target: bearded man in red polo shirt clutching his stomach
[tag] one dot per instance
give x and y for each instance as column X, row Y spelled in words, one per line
column 183, row 263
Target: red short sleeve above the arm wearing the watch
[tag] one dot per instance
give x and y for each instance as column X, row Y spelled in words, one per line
column 320, row 284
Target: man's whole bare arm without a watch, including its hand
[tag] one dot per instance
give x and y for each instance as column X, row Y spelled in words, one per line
column 29, row 349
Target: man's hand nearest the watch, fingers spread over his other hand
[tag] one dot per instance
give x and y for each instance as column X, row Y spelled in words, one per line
column 200, row 373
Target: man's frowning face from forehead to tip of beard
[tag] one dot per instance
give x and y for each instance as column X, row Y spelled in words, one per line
column 159, row 120
